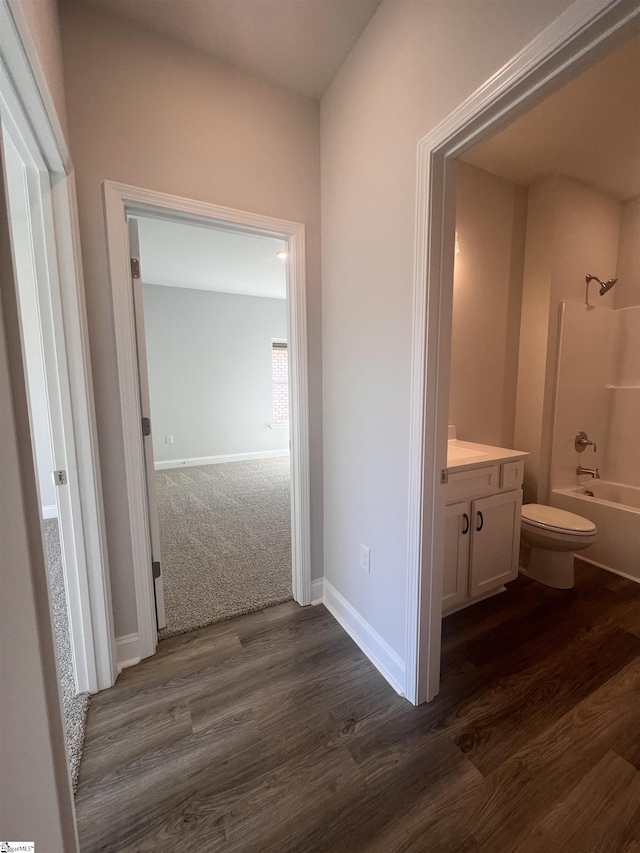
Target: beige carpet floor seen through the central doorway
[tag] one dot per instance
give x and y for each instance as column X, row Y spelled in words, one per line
column 225, row 534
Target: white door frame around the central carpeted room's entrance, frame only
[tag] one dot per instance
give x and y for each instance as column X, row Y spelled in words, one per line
column 121, row 200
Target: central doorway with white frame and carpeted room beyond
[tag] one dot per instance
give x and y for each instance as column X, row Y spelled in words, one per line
column 218, row 470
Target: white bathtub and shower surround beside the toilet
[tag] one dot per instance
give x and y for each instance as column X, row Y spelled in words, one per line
column 598, row 390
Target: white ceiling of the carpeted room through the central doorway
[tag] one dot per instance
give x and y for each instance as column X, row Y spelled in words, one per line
column 173, row 254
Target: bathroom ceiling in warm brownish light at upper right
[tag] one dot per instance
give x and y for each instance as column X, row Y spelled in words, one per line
column 589, row 130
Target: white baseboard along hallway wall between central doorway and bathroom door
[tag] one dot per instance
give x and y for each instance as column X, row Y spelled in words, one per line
column 382, row 656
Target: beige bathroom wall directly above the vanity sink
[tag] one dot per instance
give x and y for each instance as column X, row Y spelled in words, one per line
column 491, row 215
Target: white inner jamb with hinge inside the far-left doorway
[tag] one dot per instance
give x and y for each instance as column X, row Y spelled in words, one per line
column 42, row 331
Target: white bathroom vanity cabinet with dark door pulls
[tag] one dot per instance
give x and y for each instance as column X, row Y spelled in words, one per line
column 482, row 532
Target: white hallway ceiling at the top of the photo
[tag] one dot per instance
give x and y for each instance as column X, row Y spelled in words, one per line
column 299, row 44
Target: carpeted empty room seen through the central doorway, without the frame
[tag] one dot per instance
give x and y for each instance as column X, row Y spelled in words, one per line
column 215, row 327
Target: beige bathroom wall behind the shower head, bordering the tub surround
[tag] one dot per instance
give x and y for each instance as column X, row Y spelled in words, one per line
column 572, row 230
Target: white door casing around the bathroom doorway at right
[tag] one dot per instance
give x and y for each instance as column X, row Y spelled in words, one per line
column 582, row 35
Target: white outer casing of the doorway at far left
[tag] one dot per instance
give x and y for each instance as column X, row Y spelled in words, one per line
column 26, row 103
